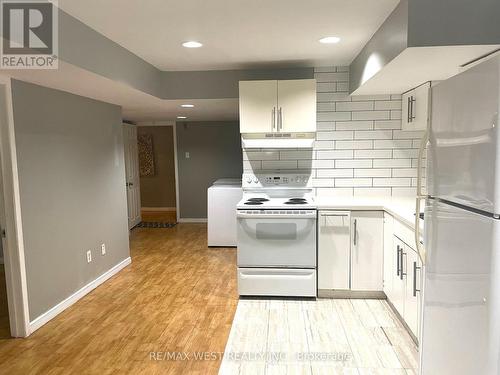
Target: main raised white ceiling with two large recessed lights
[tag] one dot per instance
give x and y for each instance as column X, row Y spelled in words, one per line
column 237, row 34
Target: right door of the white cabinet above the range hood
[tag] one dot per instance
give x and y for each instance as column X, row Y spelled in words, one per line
column 297, row 105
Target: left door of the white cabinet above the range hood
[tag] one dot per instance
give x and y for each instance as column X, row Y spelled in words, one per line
column 258, row 106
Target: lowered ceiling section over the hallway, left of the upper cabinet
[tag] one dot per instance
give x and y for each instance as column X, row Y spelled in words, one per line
column 136, row 105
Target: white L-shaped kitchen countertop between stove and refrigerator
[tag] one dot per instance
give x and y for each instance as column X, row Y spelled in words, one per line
column 402, row 209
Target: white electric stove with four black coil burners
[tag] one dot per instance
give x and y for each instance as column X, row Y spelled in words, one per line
column 276, row 235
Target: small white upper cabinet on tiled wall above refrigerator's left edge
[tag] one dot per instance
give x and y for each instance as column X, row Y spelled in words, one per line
column 415, row 112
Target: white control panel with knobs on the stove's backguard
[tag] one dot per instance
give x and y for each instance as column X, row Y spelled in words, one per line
column 302, row 180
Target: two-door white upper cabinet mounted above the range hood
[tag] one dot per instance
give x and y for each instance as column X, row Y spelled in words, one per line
column 278, row 106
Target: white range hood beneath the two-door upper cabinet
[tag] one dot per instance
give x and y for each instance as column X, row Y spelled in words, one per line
column 278, row 140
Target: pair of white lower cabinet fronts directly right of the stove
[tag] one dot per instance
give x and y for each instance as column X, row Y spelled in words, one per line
column 350, row 250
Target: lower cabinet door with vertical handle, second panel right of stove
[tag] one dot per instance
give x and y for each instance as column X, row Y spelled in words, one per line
column 367, row 250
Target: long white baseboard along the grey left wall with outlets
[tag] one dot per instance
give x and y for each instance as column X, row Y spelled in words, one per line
column 63, row 305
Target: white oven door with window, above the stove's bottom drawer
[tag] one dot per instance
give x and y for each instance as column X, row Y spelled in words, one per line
column 277, row 241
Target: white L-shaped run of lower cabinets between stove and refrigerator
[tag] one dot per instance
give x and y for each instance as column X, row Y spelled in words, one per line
column 360, row 252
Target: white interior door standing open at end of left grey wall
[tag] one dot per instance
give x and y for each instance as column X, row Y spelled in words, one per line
column 132, row 182
